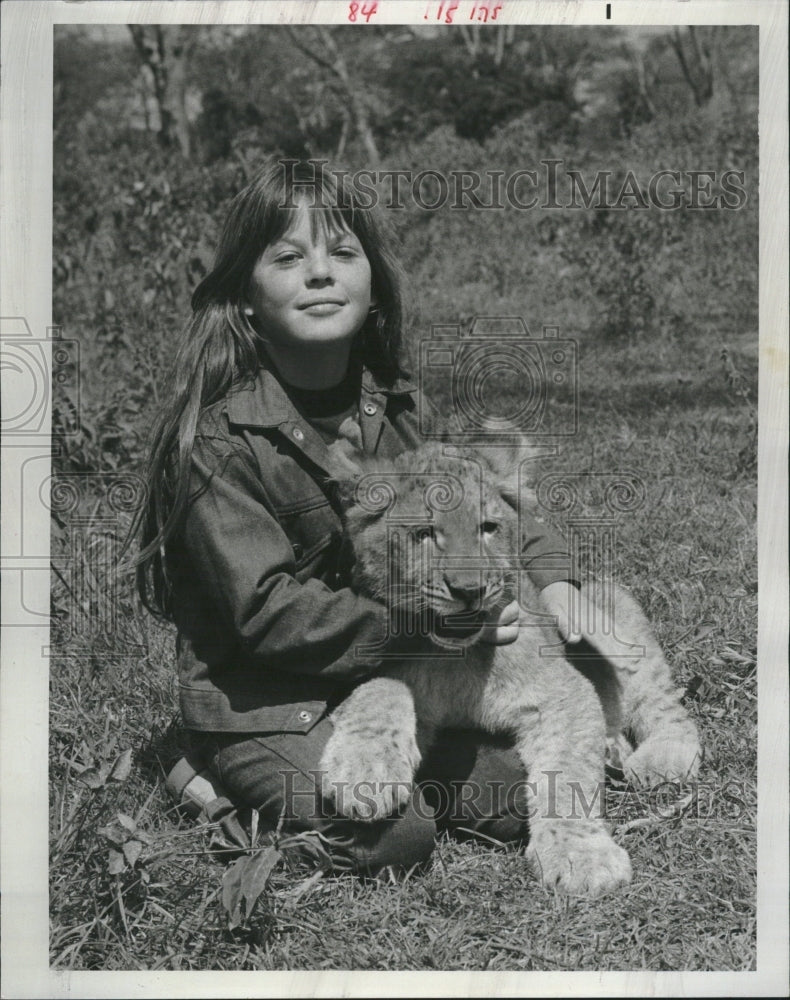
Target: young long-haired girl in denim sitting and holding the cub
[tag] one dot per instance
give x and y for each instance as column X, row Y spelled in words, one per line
column 295, row 334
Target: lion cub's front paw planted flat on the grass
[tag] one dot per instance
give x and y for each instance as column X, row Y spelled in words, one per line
column 577, row 858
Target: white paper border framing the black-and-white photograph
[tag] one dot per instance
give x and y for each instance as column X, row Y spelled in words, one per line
column 26, row 291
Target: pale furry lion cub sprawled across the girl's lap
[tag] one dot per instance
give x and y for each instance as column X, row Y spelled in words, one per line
column 434, row 539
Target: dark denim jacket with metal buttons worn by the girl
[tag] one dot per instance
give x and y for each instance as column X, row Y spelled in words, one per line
column 268, row 632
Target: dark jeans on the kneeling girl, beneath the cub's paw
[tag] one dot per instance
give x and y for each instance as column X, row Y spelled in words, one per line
column 469, row 783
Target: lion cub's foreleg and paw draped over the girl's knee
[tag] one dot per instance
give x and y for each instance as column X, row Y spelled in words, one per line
column 370, row 759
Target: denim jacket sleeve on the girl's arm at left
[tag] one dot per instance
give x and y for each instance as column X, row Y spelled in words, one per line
column 245, row 564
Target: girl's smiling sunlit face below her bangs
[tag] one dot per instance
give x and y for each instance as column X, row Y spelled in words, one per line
column 311, row 287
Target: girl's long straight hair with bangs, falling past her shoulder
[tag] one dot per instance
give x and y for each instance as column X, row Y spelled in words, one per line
column 219, row 349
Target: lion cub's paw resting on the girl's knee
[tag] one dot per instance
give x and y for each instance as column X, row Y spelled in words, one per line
column 367, row 777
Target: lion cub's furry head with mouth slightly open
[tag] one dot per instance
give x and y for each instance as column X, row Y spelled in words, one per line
column 433, row 536
